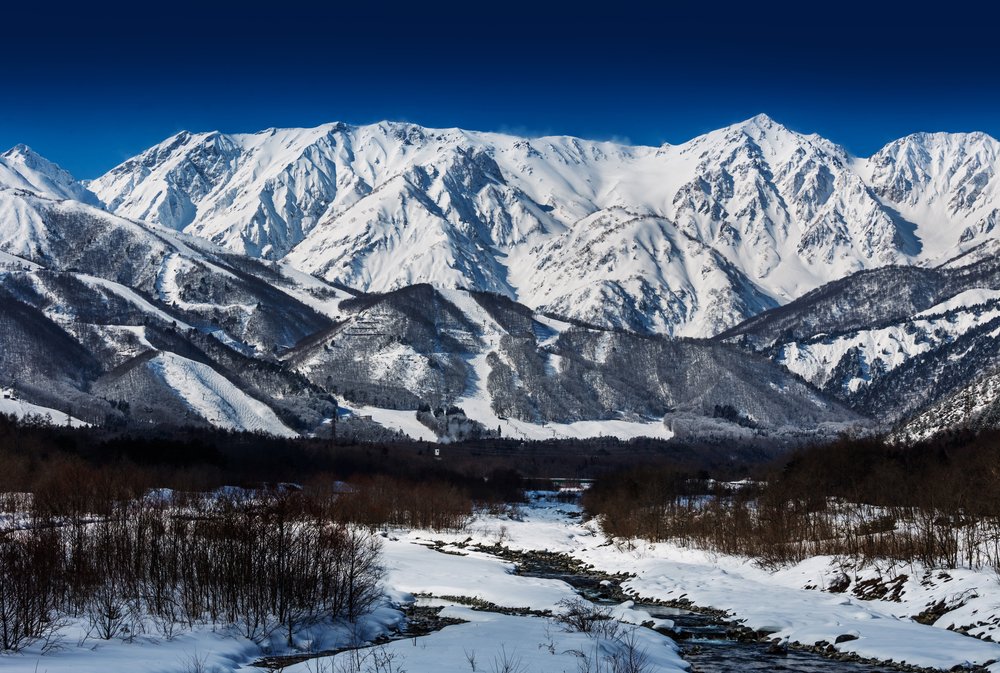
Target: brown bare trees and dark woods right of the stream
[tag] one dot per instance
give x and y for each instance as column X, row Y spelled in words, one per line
column 937, row 503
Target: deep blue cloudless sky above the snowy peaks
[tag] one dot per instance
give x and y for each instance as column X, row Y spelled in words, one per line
column 91, row 85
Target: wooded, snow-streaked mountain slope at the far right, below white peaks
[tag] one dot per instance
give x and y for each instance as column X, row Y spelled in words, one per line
column 895, row 342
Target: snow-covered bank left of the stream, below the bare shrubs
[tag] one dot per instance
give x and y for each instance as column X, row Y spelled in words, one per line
column 506, row 628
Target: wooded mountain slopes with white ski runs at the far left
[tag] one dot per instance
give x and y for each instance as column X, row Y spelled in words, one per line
column 112, row 320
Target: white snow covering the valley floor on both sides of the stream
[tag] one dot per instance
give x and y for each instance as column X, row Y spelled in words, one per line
column 452, row 571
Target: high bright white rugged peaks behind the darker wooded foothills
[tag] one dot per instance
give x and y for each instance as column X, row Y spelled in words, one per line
column 687, row 239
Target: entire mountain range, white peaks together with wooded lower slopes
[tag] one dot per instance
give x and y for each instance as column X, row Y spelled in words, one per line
column 447, row 283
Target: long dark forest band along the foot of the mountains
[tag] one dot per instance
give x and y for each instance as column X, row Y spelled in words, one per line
column 199, row 458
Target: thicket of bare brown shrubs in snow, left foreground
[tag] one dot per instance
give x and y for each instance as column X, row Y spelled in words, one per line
column 128, row 563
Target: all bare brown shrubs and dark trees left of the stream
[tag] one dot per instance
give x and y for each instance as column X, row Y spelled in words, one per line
column 164, row 532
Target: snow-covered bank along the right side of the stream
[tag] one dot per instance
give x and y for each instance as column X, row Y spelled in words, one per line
column 772, row 601
